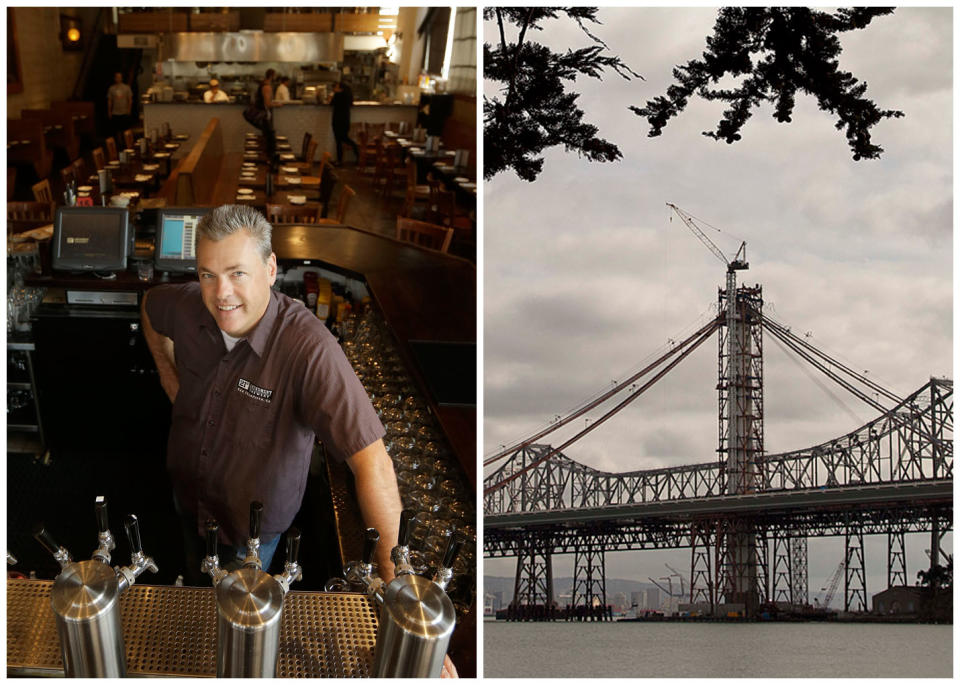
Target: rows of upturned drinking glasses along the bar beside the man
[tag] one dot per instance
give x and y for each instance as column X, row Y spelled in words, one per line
column 430, row 479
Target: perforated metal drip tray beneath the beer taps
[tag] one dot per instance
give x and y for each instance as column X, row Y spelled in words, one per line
column 172, row 631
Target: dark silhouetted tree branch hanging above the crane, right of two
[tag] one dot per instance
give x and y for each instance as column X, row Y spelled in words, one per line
column 780, row 51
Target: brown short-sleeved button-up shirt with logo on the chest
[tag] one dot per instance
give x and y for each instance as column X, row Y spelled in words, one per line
column 244, row 422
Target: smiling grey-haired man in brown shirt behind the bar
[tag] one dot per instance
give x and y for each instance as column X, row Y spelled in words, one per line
column 254, row 377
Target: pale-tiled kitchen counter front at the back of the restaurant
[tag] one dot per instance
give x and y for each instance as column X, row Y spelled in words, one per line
column 291, row 120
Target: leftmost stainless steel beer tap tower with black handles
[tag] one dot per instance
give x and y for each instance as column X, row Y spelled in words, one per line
column 86, row 600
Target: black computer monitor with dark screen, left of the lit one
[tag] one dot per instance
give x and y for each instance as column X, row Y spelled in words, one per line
column 91, row 238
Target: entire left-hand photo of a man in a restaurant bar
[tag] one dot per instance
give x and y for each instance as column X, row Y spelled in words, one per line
column 241, row 327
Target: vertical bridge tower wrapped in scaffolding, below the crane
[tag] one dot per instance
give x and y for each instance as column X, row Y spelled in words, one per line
column 740, row 387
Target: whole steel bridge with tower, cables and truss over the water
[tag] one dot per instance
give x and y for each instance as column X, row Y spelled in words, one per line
column 746, row 516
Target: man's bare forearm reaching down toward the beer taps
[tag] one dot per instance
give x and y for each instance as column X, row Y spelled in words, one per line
column 379, row 500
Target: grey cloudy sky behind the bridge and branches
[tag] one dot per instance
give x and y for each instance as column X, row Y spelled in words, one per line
column 586, row 276
